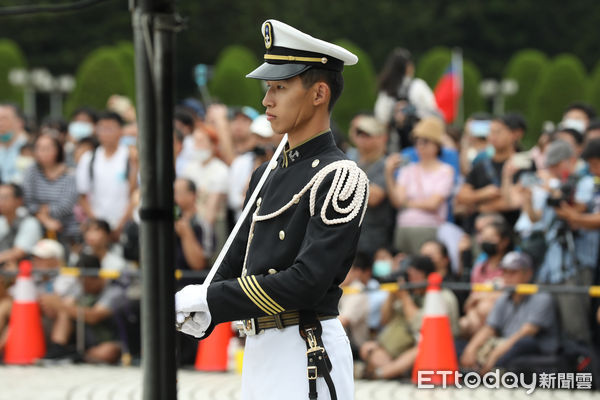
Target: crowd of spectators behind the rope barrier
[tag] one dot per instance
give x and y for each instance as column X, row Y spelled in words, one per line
column 470, row 204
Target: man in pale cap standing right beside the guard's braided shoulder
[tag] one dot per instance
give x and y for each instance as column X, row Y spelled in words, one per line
column 370, row 138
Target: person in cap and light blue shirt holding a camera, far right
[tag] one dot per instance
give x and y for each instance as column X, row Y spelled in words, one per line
column 571, row 254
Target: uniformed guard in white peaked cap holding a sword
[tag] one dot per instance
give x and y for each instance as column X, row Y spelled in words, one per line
column 282, row 272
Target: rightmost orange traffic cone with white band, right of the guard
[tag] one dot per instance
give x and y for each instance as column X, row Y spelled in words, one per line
column 436, row 347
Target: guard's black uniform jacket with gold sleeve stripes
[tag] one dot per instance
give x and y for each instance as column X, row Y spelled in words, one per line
column 295, row 260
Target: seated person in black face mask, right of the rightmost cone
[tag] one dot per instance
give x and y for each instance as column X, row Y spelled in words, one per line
column 495, row 241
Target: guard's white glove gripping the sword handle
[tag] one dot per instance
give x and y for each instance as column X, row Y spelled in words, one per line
column 192, row 300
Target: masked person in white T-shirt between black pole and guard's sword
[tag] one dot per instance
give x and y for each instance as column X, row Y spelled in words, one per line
column 210, row 175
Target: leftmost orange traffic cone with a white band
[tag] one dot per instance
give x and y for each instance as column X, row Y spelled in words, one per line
column 25, row 342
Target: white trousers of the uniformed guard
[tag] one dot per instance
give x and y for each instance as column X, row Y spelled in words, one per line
column 275, row 364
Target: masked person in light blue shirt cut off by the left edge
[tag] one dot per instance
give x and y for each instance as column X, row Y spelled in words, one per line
column 10, row 143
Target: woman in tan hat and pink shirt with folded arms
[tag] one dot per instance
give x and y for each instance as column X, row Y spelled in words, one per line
column 421, row 191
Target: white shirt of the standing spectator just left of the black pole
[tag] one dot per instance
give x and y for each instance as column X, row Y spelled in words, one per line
column 108, row 191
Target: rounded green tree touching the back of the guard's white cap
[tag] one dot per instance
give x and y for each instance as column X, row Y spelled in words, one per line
column 360, row 88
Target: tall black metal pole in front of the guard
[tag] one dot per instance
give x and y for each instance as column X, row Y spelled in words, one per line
column 153, row 24
